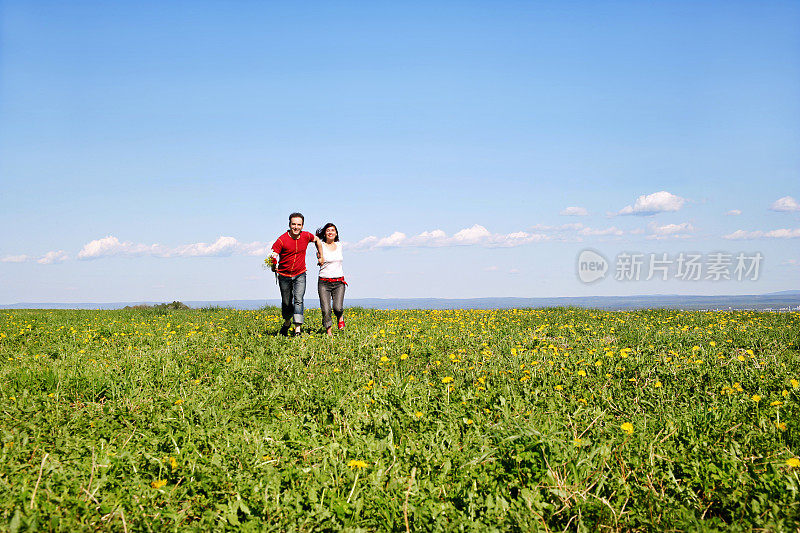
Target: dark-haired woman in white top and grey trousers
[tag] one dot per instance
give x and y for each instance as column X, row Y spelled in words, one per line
column 331, row 284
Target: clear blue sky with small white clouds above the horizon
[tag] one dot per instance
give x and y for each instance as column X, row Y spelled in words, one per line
column 152, row 150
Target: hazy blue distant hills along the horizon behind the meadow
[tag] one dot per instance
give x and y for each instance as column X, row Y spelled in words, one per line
column 783, row 300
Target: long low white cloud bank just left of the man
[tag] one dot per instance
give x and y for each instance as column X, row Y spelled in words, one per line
column 223, row 246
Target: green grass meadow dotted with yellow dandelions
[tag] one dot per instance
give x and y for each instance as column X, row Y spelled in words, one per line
column 558, row 419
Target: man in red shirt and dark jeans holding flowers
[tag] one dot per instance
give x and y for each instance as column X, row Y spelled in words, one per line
column 291, row 268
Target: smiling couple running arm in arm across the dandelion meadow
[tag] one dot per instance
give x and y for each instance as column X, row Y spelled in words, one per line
column 290, row 251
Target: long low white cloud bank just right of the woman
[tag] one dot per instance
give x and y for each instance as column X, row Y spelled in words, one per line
column 475, row 235
